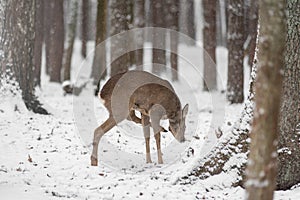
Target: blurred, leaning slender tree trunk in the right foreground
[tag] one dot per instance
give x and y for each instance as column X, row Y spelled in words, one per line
column 261, row 171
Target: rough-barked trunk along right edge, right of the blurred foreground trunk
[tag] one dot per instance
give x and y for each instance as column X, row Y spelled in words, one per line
column 289, row 141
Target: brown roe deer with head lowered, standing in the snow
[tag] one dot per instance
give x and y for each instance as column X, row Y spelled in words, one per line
column 153, row 97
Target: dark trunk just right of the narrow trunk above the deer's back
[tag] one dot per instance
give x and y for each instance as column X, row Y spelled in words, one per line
column 159, row 40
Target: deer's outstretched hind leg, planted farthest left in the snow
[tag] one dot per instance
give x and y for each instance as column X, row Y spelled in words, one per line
column 98, row 133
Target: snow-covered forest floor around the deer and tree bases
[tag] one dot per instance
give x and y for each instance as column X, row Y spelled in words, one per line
column 48, row 157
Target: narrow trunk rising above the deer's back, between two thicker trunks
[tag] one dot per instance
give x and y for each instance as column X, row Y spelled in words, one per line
column 139, row 22
